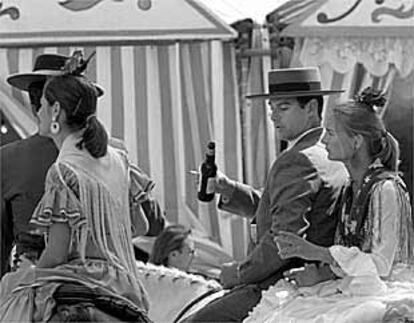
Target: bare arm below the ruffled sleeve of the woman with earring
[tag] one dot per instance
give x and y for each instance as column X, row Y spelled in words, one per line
column 57, row 247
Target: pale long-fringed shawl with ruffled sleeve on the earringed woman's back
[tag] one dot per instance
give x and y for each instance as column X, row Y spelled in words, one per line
column 98, row 207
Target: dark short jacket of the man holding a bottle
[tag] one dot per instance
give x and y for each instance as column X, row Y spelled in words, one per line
column 300, row 196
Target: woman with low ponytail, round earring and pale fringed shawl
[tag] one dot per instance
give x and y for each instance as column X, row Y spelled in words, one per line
column 89, row 209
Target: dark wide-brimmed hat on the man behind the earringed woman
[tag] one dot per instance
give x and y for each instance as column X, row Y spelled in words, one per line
column 45, row 65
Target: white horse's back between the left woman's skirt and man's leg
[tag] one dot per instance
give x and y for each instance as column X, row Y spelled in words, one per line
column 174, row 294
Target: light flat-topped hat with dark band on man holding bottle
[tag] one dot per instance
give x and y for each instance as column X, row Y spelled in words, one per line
column 294, row 82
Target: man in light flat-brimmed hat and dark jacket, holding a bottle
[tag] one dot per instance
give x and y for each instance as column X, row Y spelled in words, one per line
column 300, row 195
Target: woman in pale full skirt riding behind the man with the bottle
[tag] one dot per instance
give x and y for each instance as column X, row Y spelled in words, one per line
column 374, row 243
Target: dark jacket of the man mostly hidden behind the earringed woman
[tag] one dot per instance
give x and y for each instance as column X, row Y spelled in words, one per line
column 24, row 165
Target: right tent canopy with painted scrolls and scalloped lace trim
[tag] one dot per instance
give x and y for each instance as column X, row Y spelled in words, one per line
column 376, row 34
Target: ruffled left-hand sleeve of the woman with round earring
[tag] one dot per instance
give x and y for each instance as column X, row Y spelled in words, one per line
column 60, row 202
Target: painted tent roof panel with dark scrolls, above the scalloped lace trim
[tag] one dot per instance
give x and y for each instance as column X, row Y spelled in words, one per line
column 353, row 18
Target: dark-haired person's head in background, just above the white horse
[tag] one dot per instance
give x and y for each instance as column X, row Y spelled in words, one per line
column 173, row 248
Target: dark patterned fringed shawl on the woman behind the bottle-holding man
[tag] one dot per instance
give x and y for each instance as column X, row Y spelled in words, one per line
column 360, row 216
